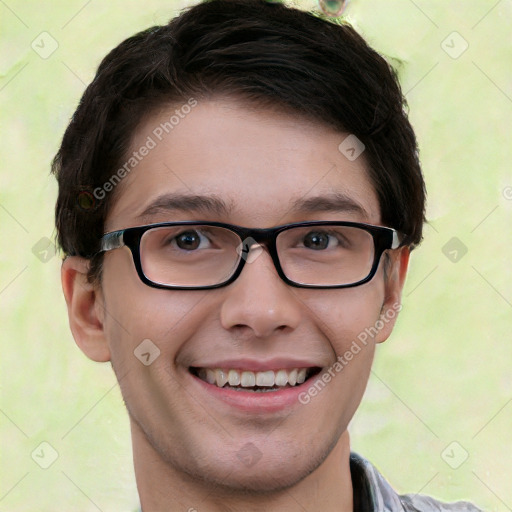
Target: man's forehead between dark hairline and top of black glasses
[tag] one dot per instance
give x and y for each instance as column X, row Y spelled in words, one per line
column 224, row 160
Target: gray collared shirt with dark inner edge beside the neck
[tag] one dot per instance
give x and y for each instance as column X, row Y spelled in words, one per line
column 373, row 494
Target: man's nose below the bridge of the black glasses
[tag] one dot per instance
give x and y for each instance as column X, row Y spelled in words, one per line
column 259, row 300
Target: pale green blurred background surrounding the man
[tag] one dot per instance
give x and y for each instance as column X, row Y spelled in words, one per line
column 437, row 414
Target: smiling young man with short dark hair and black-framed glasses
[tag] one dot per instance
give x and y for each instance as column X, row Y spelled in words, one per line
column 238, row 195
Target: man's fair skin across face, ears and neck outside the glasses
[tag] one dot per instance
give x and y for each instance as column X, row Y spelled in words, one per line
column 186, row 443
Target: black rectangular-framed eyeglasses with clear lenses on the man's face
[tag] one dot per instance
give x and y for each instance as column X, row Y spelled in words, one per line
column 203, row 255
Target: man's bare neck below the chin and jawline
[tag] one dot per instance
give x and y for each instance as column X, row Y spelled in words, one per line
column 163, row 487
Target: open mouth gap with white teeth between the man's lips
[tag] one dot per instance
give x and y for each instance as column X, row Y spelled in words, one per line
column 245, row 380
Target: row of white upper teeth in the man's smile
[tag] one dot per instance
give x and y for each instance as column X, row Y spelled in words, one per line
column 249, row 379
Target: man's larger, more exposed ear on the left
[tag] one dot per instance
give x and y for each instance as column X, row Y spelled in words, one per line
column 85, row 309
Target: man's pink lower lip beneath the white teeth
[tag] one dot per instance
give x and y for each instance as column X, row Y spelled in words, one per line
column 254, row 402
